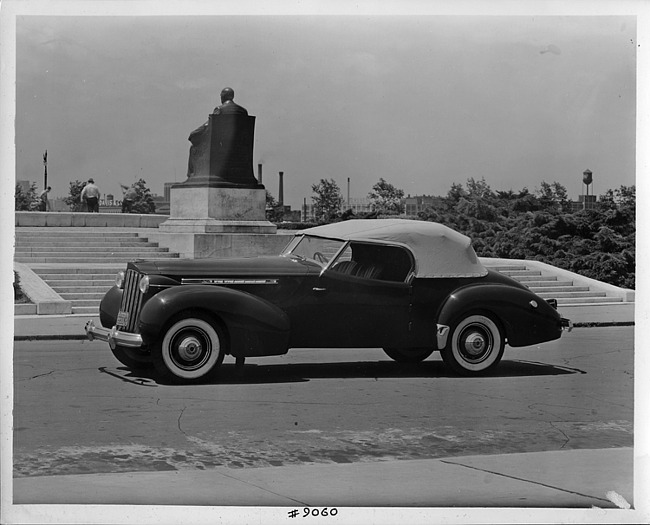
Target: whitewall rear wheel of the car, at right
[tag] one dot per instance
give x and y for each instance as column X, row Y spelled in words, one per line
column 475, row 346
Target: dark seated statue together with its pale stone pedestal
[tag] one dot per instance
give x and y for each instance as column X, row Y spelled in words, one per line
column 220, row 210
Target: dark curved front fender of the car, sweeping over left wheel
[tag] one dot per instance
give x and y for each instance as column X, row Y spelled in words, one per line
column 255, row 327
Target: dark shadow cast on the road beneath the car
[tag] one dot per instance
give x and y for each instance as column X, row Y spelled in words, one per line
column 298, row 372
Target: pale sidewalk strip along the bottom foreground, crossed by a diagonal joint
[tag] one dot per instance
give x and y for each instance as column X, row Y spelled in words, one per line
column 565, row 479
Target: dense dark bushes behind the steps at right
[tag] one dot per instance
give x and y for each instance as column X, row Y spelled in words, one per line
column 597, row 243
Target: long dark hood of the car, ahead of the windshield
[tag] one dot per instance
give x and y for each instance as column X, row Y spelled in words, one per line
column 245, row 266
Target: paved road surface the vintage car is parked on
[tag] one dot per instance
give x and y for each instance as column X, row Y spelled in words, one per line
column 77, row 410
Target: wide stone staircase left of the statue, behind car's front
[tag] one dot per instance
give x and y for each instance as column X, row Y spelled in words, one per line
column 80, row 264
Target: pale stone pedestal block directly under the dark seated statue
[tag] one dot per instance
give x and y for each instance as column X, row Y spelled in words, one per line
column 217, row 210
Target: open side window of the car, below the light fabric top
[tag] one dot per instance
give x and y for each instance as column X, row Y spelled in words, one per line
column 371, row 261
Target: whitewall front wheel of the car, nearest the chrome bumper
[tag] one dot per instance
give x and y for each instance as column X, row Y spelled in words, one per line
column 191, row 349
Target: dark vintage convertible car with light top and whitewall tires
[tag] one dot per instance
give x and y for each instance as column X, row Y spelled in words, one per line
column 409, row 287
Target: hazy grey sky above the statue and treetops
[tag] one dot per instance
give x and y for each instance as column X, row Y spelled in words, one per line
column 421, row 100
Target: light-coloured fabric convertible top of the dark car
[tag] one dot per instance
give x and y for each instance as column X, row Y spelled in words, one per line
column 439, row 251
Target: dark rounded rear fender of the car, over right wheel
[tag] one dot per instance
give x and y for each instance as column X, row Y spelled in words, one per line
column 525, row 317
